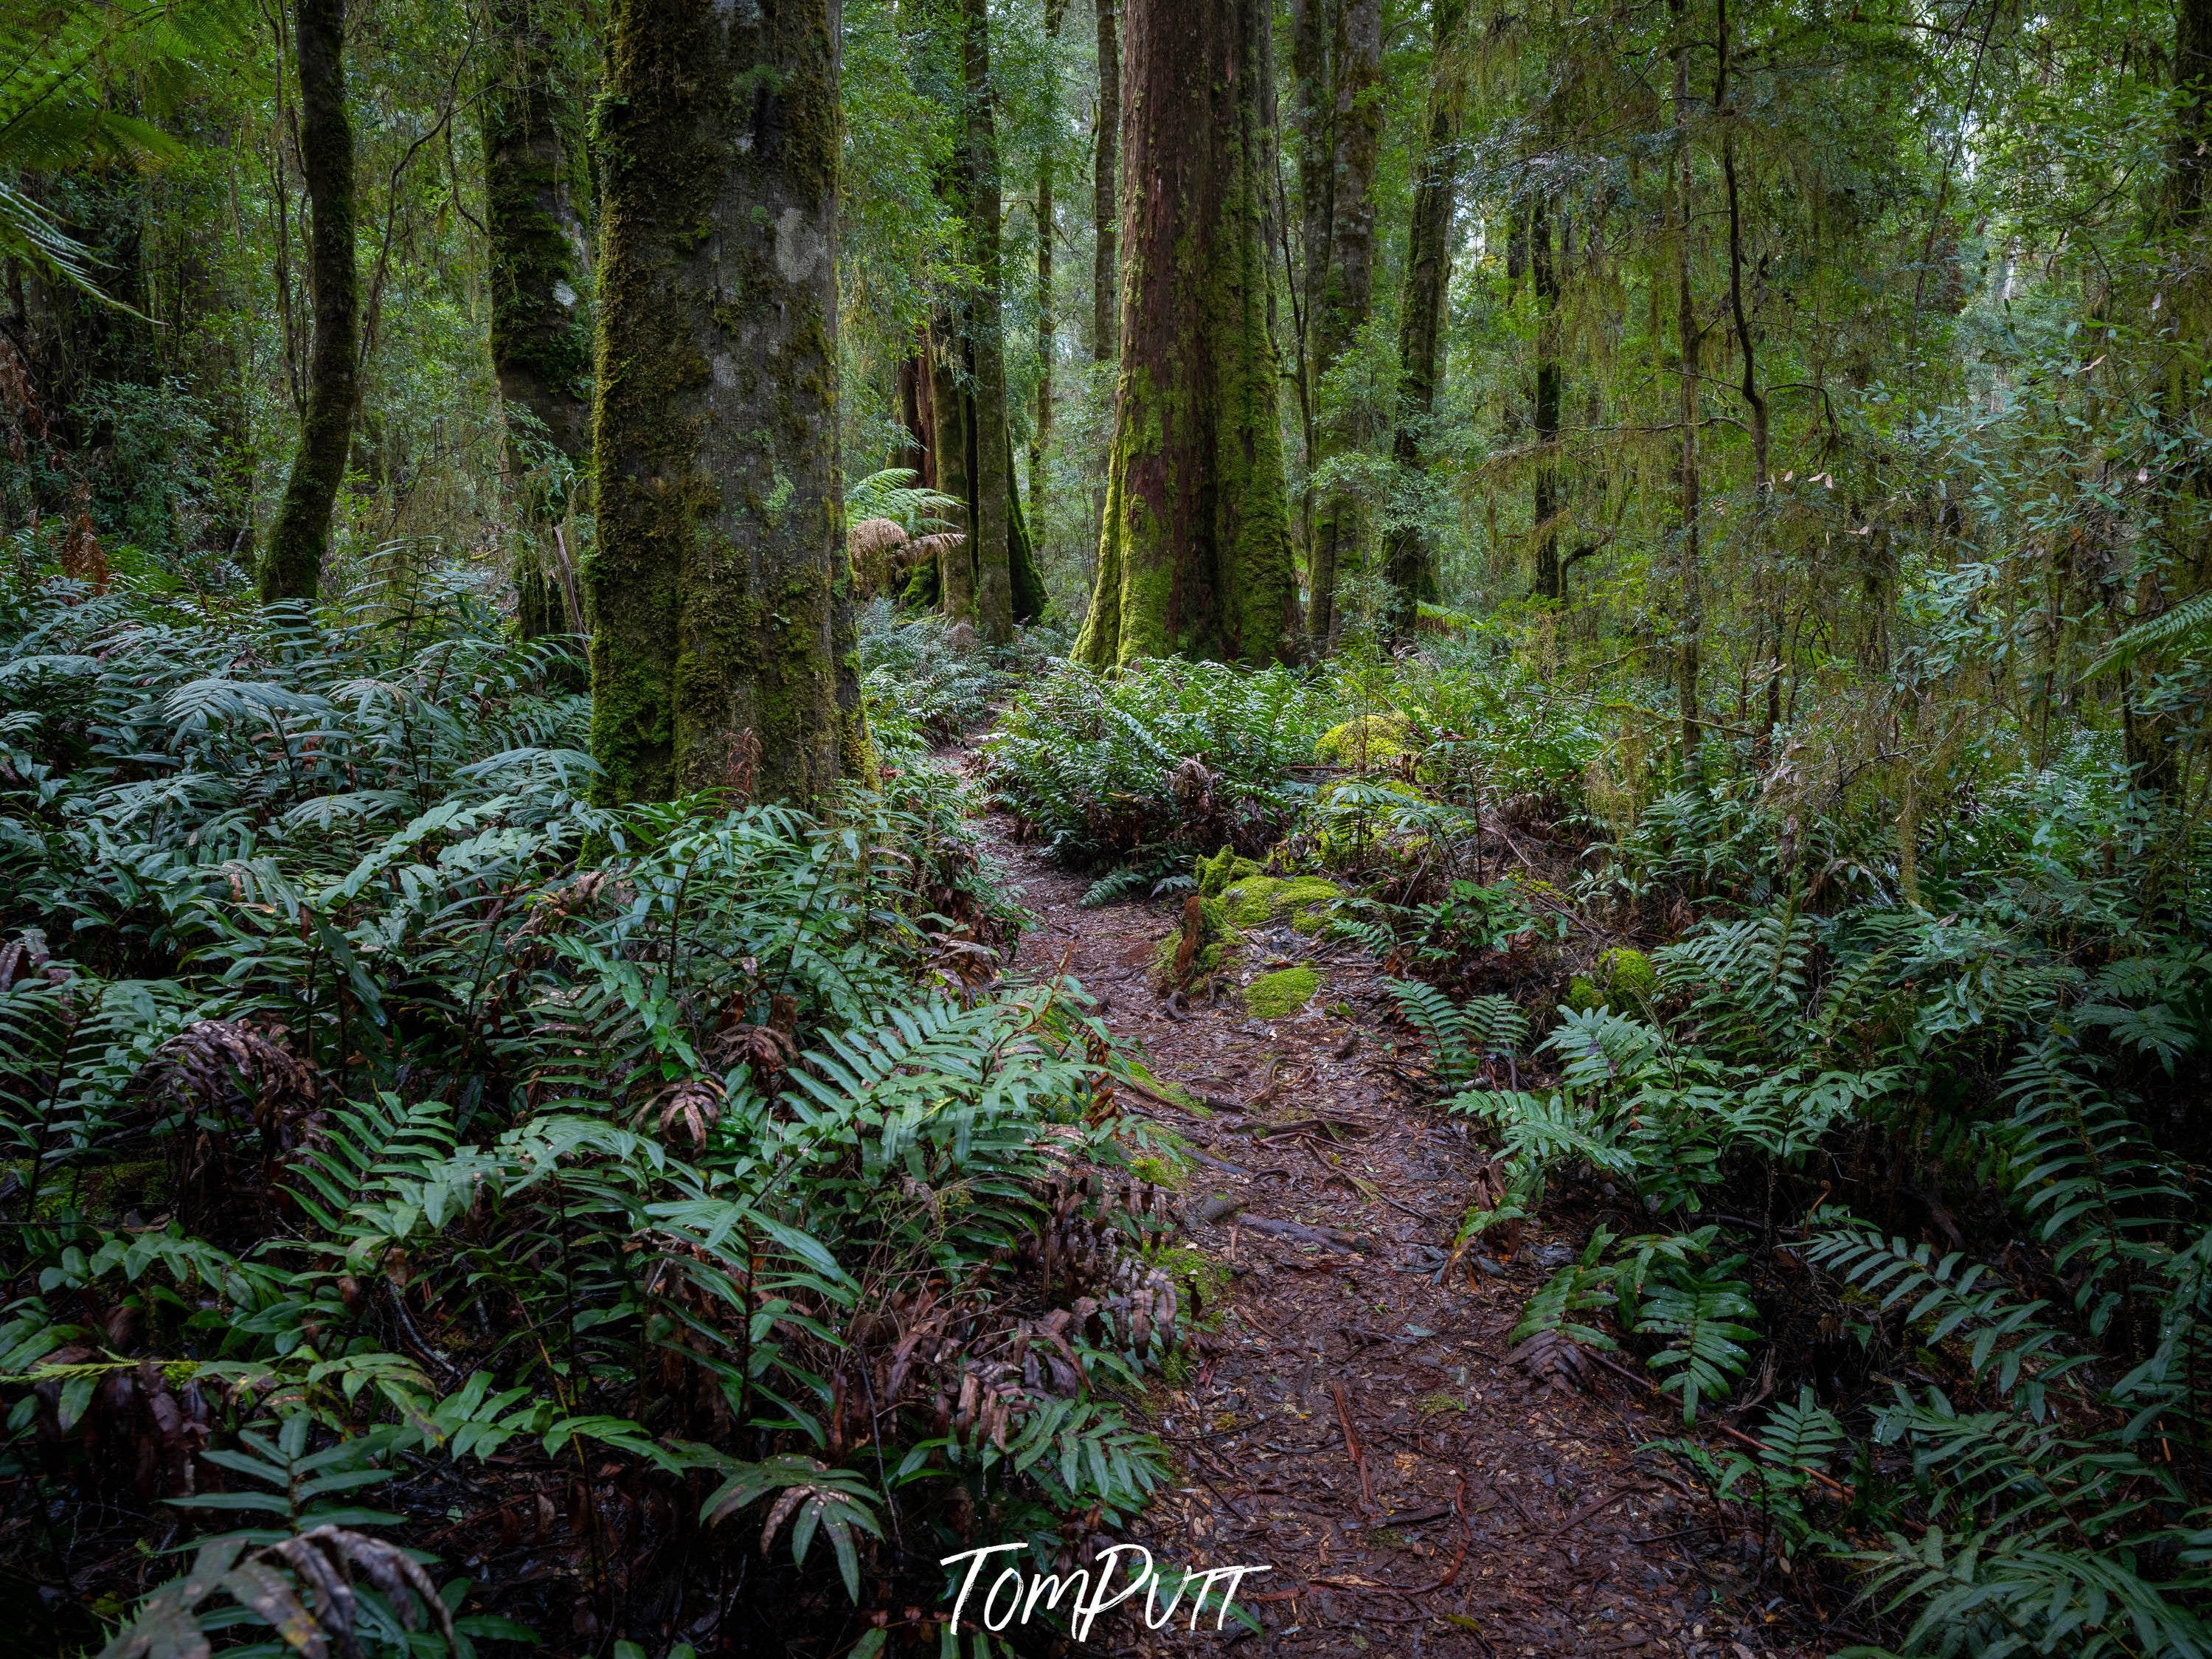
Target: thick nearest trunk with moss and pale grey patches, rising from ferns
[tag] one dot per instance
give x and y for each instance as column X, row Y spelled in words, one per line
column 724, row 640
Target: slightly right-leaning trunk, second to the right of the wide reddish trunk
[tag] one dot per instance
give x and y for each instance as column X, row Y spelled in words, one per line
column 1421, row 311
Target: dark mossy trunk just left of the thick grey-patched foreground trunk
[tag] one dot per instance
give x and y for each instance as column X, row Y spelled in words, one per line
column 541, row 328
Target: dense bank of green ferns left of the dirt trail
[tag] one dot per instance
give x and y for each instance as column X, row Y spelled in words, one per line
column 424, row 1178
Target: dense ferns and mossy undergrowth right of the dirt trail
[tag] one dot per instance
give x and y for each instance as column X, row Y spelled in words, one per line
column 1884, row 1145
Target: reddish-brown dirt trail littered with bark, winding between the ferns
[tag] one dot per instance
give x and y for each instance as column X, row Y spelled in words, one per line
column 1485, row 1514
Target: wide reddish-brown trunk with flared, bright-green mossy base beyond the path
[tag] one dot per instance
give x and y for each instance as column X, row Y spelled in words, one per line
column 1196, row 556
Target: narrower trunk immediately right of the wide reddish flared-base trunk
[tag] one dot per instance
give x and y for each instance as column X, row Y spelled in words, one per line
column 1348, row 284
